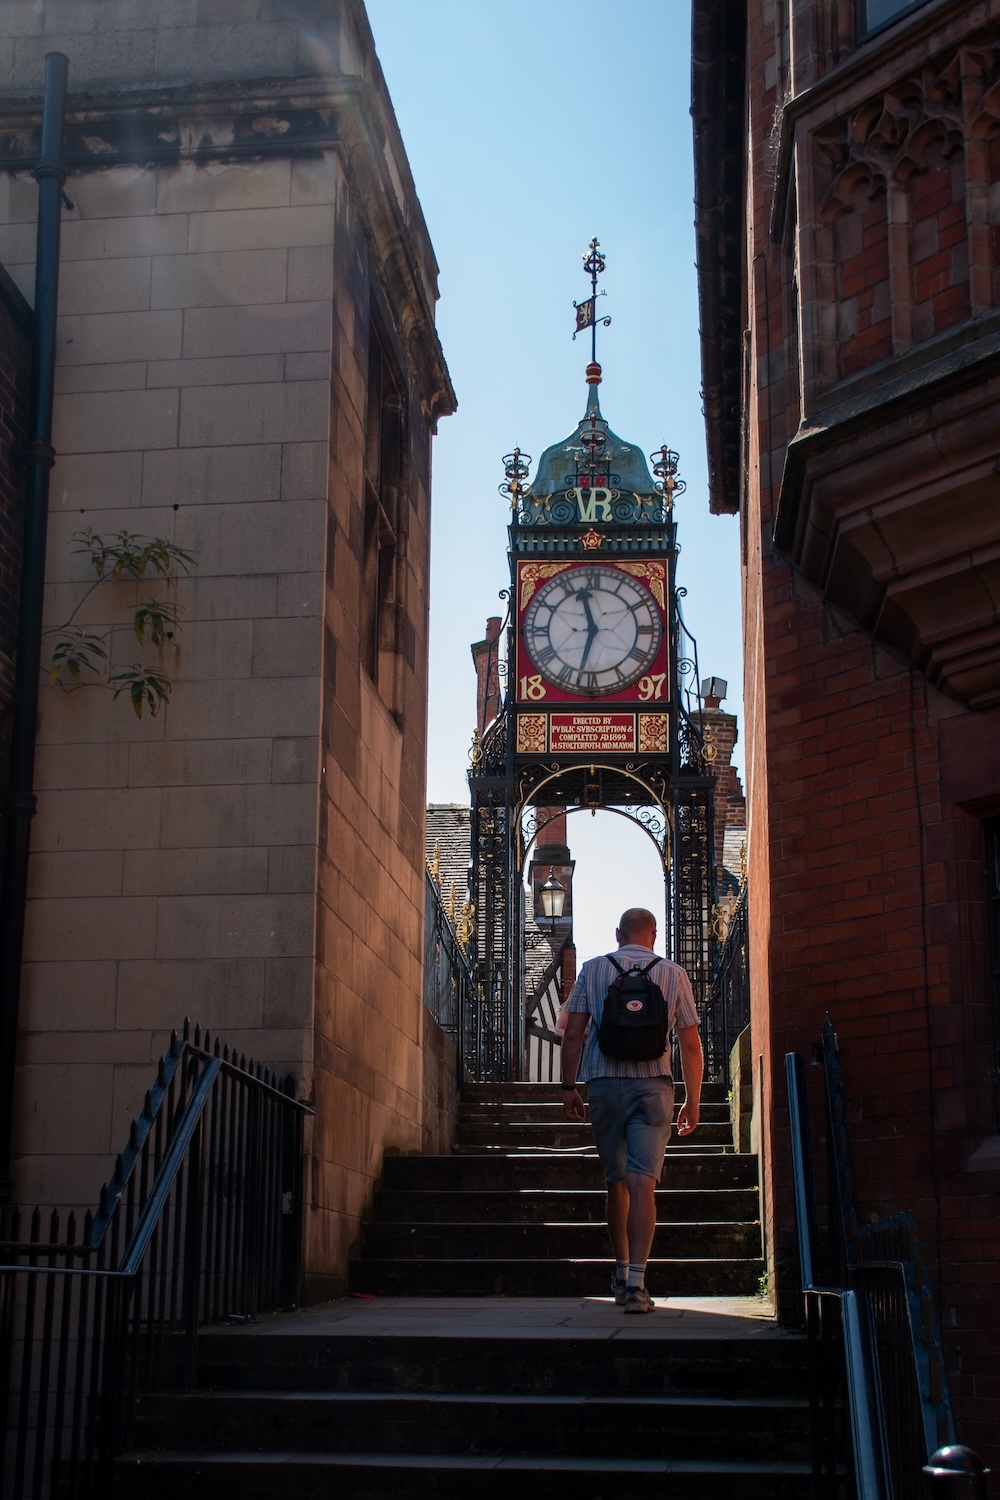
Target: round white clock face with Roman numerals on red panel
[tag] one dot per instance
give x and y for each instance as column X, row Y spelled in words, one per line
column 593, row 631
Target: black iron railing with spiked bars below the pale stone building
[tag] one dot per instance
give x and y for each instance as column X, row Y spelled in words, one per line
column 200, row 1223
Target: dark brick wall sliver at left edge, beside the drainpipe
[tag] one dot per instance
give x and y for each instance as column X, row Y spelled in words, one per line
column 16, row 368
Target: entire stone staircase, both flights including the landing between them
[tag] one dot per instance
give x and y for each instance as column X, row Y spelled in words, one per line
column 487, row 1358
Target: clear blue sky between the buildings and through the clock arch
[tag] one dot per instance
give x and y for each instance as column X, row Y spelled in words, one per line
column 530, row 128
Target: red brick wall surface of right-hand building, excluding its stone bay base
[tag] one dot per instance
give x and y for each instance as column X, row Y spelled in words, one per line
column 867, row 787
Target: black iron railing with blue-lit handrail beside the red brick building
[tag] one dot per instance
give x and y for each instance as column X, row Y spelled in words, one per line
column 876, row 1370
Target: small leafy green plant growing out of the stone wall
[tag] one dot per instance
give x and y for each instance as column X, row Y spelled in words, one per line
column 82, row 658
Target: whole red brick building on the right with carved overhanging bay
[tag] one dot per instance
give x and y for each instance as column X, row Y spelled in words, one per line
column 849, row 215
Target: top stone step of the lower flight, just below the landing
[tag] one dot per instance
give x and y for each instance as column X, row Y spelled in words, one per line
column 641, row 1361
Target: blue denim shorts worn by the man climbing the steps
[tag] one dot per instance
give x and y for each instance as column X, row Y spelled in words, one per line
column 632, row 1121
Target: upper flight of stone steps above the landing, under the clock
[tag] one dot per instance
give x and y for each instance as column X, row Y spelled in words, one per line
column 519, row 1210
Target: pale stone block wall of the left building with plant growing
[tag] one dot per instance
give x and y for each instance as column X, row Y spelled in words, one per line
column 247, row 295
